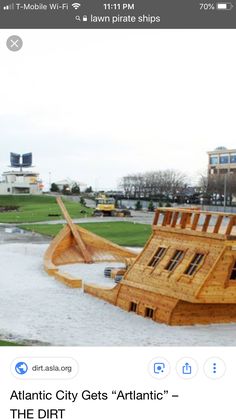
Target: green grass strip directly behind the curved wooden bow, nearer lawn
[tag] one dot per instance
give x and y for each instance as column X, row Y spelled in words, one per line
column 123, row 233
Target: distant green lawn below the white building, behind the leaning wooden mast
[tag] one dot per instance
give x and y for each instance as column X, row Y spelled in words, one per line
column 37, row 208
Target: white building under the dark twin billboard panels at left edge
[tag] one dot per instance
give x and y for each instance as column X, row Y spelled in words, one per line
column 18, row 182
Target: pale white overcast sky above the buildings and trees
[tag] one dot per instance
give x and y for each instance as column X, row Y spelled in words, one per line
column 96, row 105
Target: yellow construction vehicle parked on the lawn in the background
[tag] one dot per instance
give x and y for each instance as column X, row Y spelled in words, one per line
column 106, row 206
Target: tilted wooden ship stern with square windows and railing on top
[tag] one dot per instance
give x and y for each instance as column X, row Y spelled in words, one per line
column 186, row 273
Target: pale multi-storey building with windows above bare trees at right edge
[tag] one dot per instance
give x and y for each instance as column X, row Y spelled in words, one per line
column 221, row 161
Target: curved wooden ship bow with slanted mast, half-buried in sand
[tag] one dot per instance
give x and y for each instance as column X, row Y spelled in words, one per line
column 74, row 244
